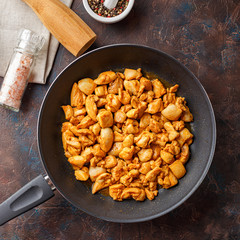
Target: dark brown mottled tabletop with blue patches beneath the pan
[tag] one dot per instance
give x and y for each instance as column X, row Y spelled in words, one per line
column 203, row 35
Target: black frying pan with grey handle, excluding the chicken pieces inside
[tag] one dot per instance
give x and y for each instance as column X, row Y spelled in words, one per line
column 59, row 170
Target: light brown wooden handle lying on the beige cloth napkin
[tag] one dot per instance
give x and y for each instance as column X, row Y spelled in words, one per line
column 65, row 25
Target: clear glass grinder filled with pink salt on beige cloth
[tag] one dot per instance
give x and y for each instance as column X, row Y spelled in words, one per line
column 19, row 69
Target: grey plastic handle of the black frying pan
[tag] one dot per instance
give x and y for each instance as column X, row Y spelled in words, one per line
column 32, row 194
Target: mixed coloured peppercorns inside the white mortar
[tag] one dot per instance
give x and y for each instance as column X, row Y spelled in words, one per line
column 98, row 7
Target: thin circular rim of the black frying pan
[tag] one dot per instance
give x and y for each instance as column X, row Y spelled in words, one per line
column 211, row 154
